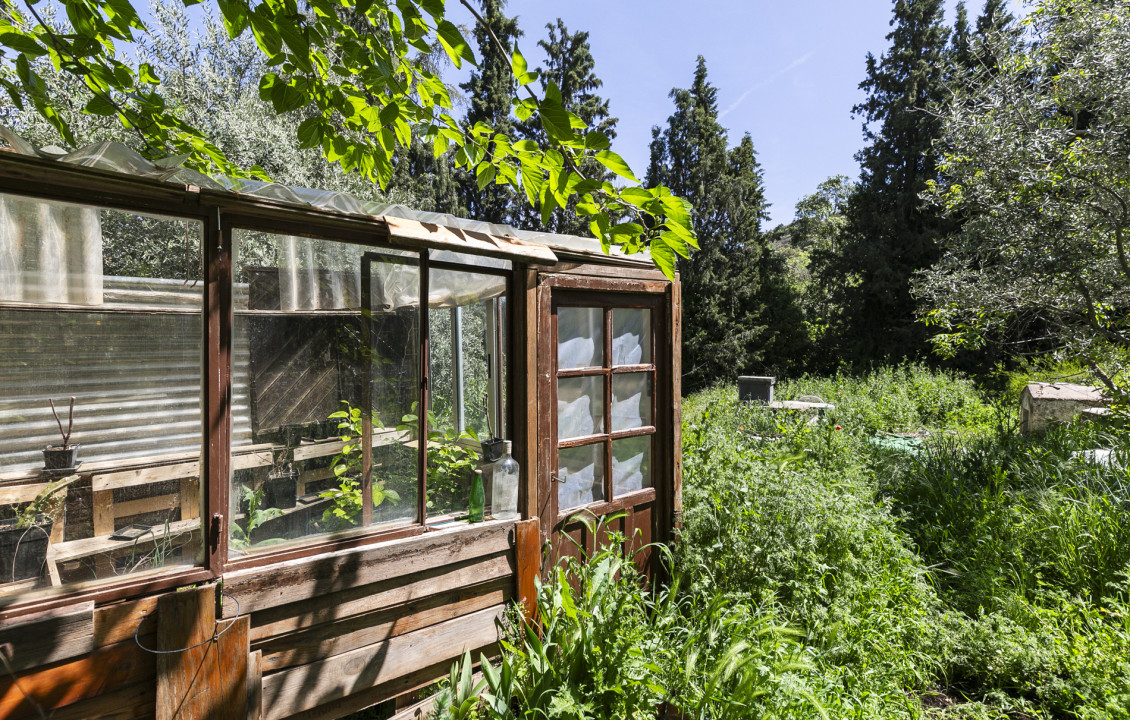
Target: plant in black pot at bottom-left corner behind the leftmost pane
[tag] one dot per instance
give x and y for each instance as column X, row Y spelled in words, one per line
column 24, row 539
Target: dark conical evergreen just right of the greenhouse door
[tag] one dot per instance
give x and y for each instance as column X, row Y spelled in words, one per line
column 734, row 309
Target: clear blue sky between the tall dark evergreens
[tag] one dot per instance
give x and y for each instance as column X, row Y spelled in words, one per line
column 787, row 72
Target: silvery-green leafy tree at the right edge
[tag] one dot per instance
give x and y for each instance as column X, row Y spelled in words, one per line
column 1037, row 166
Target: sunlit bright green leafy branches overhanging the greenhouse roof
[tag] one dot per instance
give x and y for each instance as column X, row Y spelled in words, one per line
column 360, row 75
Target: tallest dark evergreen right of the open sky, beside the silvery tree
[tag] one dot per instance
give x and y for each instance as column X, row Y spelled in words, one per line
column 890, row 236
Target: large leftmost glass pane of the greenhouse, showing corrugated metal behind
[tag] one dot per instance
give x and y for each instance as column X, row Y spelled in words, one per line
column 100, row 308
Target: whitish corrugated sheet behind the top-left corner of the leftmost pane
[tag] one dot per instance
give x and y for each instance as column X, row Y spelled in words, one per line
column 50, row 253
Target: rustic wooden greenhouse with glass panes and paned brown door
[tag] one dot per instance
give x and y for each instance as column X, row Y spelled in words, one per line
column 254, row 417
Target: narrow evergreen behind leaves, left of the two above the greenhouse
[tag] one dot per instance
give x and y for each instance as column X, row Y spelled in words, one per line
column 490, row 91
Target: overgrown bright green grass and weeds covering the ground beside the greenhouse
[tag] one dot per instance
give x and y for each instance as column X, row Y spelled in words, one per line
column 819, row 574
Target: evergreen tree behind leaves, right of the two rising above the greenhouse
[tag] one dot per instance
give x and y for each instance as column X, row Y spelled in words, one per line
column 571, row 66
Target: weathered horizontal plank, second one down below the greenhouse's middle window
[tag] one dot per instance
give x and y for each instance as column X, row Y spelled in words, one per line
column 332, row 609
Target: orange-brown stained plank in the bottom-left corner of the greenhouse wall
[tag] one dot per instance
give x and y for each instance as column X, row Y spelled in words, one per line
column 59, row 686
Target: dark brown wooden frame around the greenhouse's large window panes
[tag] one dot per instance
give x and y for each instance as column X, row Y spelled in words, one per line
column 220, row 213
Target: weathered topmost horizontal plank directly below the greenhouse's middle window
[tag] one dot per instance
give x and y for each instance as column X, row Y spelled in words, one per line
column 333, row 572
